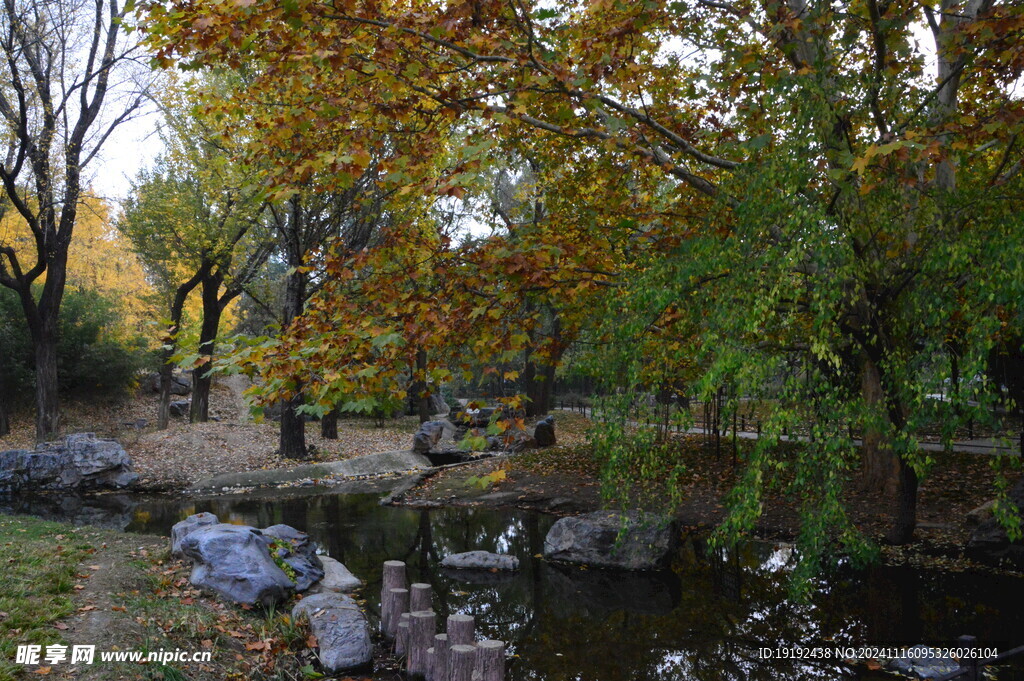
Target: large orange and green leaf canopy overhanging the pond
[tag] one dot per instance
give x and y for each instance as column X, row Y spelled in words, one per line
column 822, row 198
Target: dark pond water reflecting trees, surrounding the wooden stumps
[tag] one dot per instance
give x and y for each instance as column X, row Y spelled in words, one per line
column 705, row 620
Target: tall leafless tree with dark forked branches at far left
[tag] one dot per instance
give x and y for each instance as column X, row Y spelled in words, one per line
column 65, row 87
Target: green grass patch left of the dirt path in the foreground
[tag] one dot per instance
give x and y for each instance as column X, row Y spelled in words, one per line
column 38, row 562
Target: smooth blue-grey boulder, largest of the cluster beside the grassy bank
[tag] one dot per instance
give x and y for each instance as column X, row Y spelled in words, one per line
column 235, row 563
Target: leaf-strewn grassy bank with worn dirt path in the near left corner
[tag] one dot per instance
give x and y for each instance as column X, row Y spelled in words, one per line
column 62, row 585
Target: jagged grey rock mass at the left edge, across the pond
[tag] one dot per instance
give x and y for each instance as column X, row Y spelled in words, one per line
column 81, row 462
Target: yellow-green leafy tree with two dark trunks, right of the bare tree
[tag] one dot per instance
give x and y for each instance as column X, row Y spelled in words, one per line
column 198, row 223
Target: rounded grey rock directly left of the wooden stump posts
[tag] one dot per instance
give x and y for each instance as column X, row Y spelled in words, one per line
column 342, row 630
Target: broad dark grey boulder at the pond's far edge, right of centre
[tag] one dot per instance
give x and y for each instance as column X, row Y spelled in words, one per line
column 593, row 539
